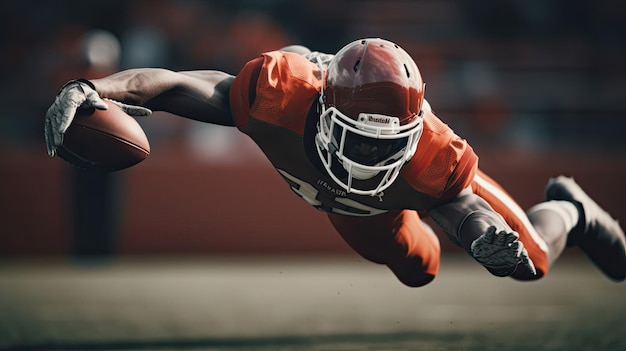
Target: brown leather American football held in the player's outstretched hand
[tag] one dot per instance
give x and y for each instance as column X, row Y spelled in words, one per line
column 104, row 140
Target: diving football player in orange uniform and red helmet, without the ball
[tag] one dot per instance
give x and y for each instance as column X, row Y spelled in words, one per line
column 353, row 135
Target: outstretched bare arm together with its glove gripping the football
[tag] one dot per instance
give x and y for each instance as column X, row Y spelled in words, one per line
column 199, row 95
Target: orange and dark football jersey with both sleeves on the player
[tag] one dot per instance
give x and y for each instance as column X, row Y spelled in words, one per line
column 271, row 100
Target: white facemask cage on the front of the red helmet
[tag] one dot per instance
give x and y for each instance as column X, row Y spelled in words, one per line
column 370, row 146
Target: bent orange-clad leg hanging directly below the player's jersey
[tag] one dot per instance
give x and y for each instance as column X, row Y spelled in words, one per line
column 399, row 240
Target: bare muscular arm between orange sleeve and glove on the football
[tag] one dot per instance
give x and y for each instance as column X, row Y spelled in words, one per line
column 198, row 95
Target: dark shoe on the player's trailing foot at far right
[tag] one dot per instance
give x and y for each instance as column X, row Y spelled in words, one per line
column 597, row 233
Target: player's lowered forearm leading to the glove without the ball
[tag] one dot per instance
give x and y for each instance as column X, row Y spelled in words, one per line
column 466, row 218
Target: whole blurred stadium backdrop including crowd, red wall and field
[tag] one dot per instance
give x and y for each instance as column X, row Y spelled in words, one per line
column 212, row 251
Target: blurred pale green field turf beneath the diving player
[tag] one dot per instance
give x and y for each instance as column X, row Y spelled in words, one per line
column 313, row 303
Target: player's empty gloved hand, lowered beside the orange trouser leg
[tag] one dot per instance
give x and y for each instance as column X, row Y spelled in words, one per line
column 501, row 252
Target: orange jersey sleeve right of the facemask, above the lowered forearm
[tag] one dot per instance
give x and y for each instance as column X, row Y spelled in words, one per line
column 443, row 165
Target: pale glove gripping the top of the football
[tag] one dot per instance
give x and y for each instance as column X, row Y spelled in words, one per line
column 76, row 94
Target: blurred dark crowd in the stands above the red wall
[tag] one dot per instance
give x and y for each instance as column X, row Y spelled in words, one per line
column 528, row 74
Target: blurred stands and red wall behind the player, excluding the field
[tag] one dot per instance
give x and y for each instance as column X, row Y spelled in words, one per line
column 535, row 86
